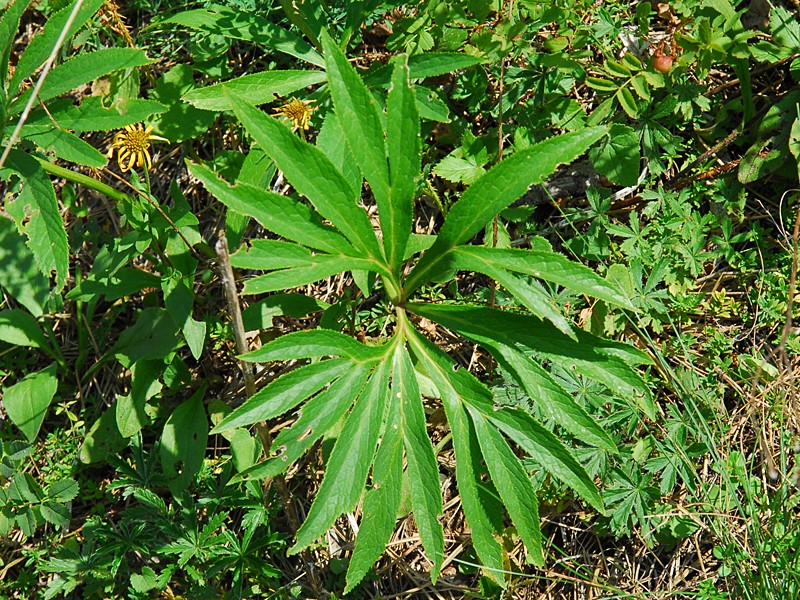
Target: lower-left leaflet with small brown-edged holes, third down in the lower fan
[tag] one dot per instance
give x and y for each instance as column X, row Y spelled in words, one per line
column 317, row 417
